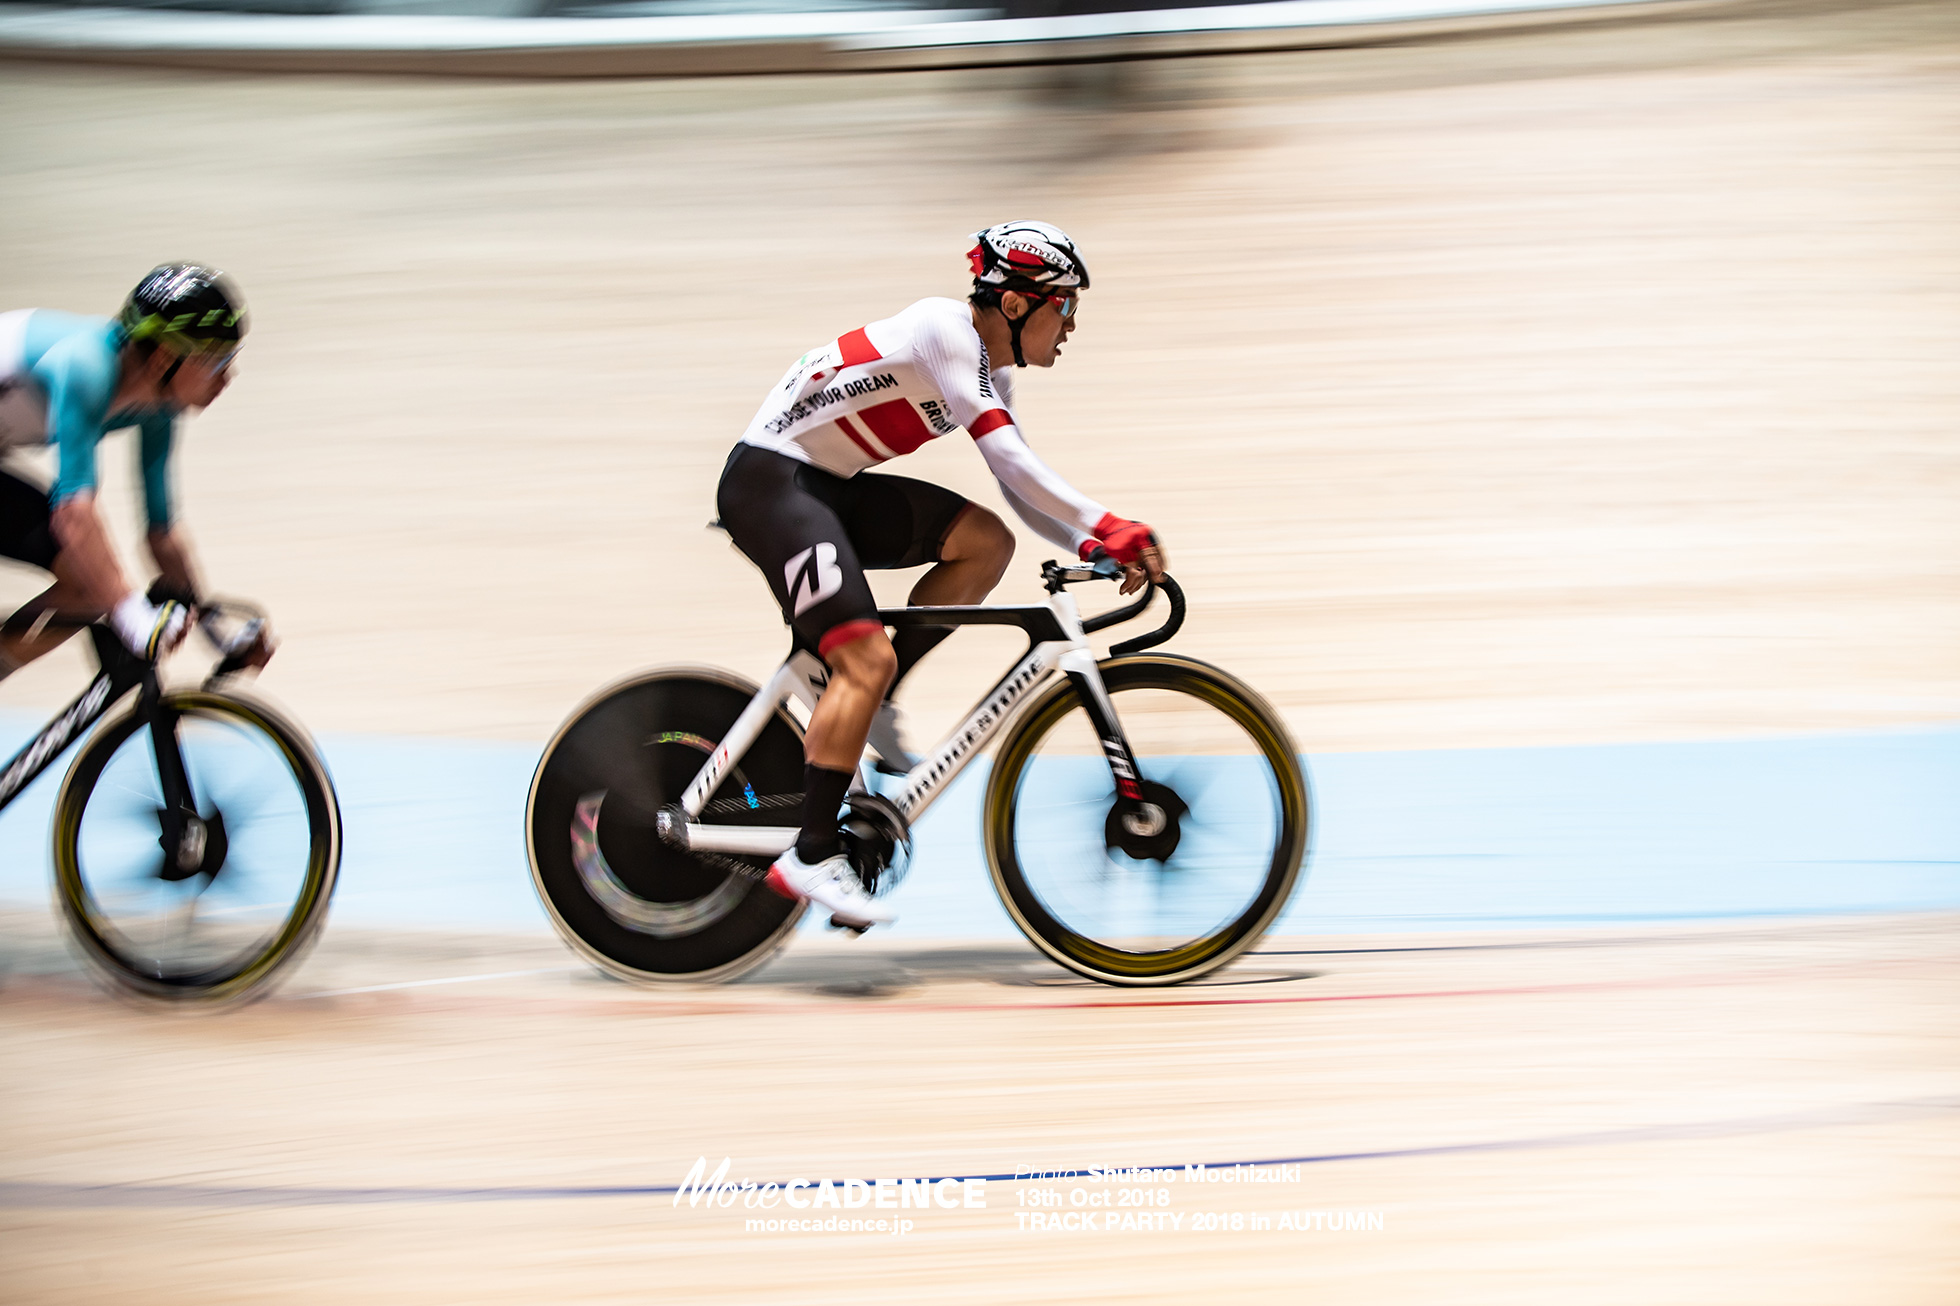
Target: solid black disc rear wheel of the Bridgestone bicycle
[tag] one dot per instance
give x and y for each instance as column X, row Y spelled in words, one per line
column 620, row 895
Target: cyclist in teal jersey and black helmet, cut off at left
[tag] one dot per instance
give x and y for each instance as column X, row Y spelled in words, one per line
column 70, row 379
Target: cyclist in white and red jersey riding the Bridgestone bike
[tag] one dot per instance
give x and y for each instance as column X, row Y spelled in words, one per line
column 799, row 501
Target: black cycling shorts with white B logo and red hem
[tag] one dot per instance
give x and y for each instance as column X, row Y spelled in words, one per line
column 814, row 536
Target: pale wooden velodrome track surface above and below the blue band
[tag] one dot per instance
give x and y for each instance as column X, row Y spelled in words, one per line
column 1573, row 387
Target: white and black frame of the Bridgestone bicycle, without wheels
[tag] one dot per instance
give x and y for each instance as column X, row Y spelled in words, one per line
column 805, row 678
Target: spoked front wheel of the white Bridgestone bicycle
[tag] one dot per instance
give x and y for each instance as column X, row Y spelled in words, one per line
column 1189, row 883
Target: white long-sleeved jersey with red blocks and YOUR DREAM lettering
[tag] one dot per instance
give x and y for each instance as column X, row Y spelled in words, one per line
column 889, row 387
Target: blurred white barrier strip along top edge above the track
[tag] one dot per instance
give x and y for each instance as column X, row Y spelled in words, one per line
column 775, row 42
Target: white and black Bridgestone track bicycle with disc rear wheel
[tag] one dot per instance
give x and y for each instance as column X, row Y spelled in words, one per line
column 1146, row 819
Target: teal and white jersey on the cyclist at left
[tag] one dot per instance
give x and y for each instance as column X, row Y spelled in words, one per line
column 58, row 377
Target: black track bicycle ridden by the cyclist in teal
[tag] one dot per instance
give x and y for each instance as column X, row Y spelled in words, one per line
column 197, row 836
